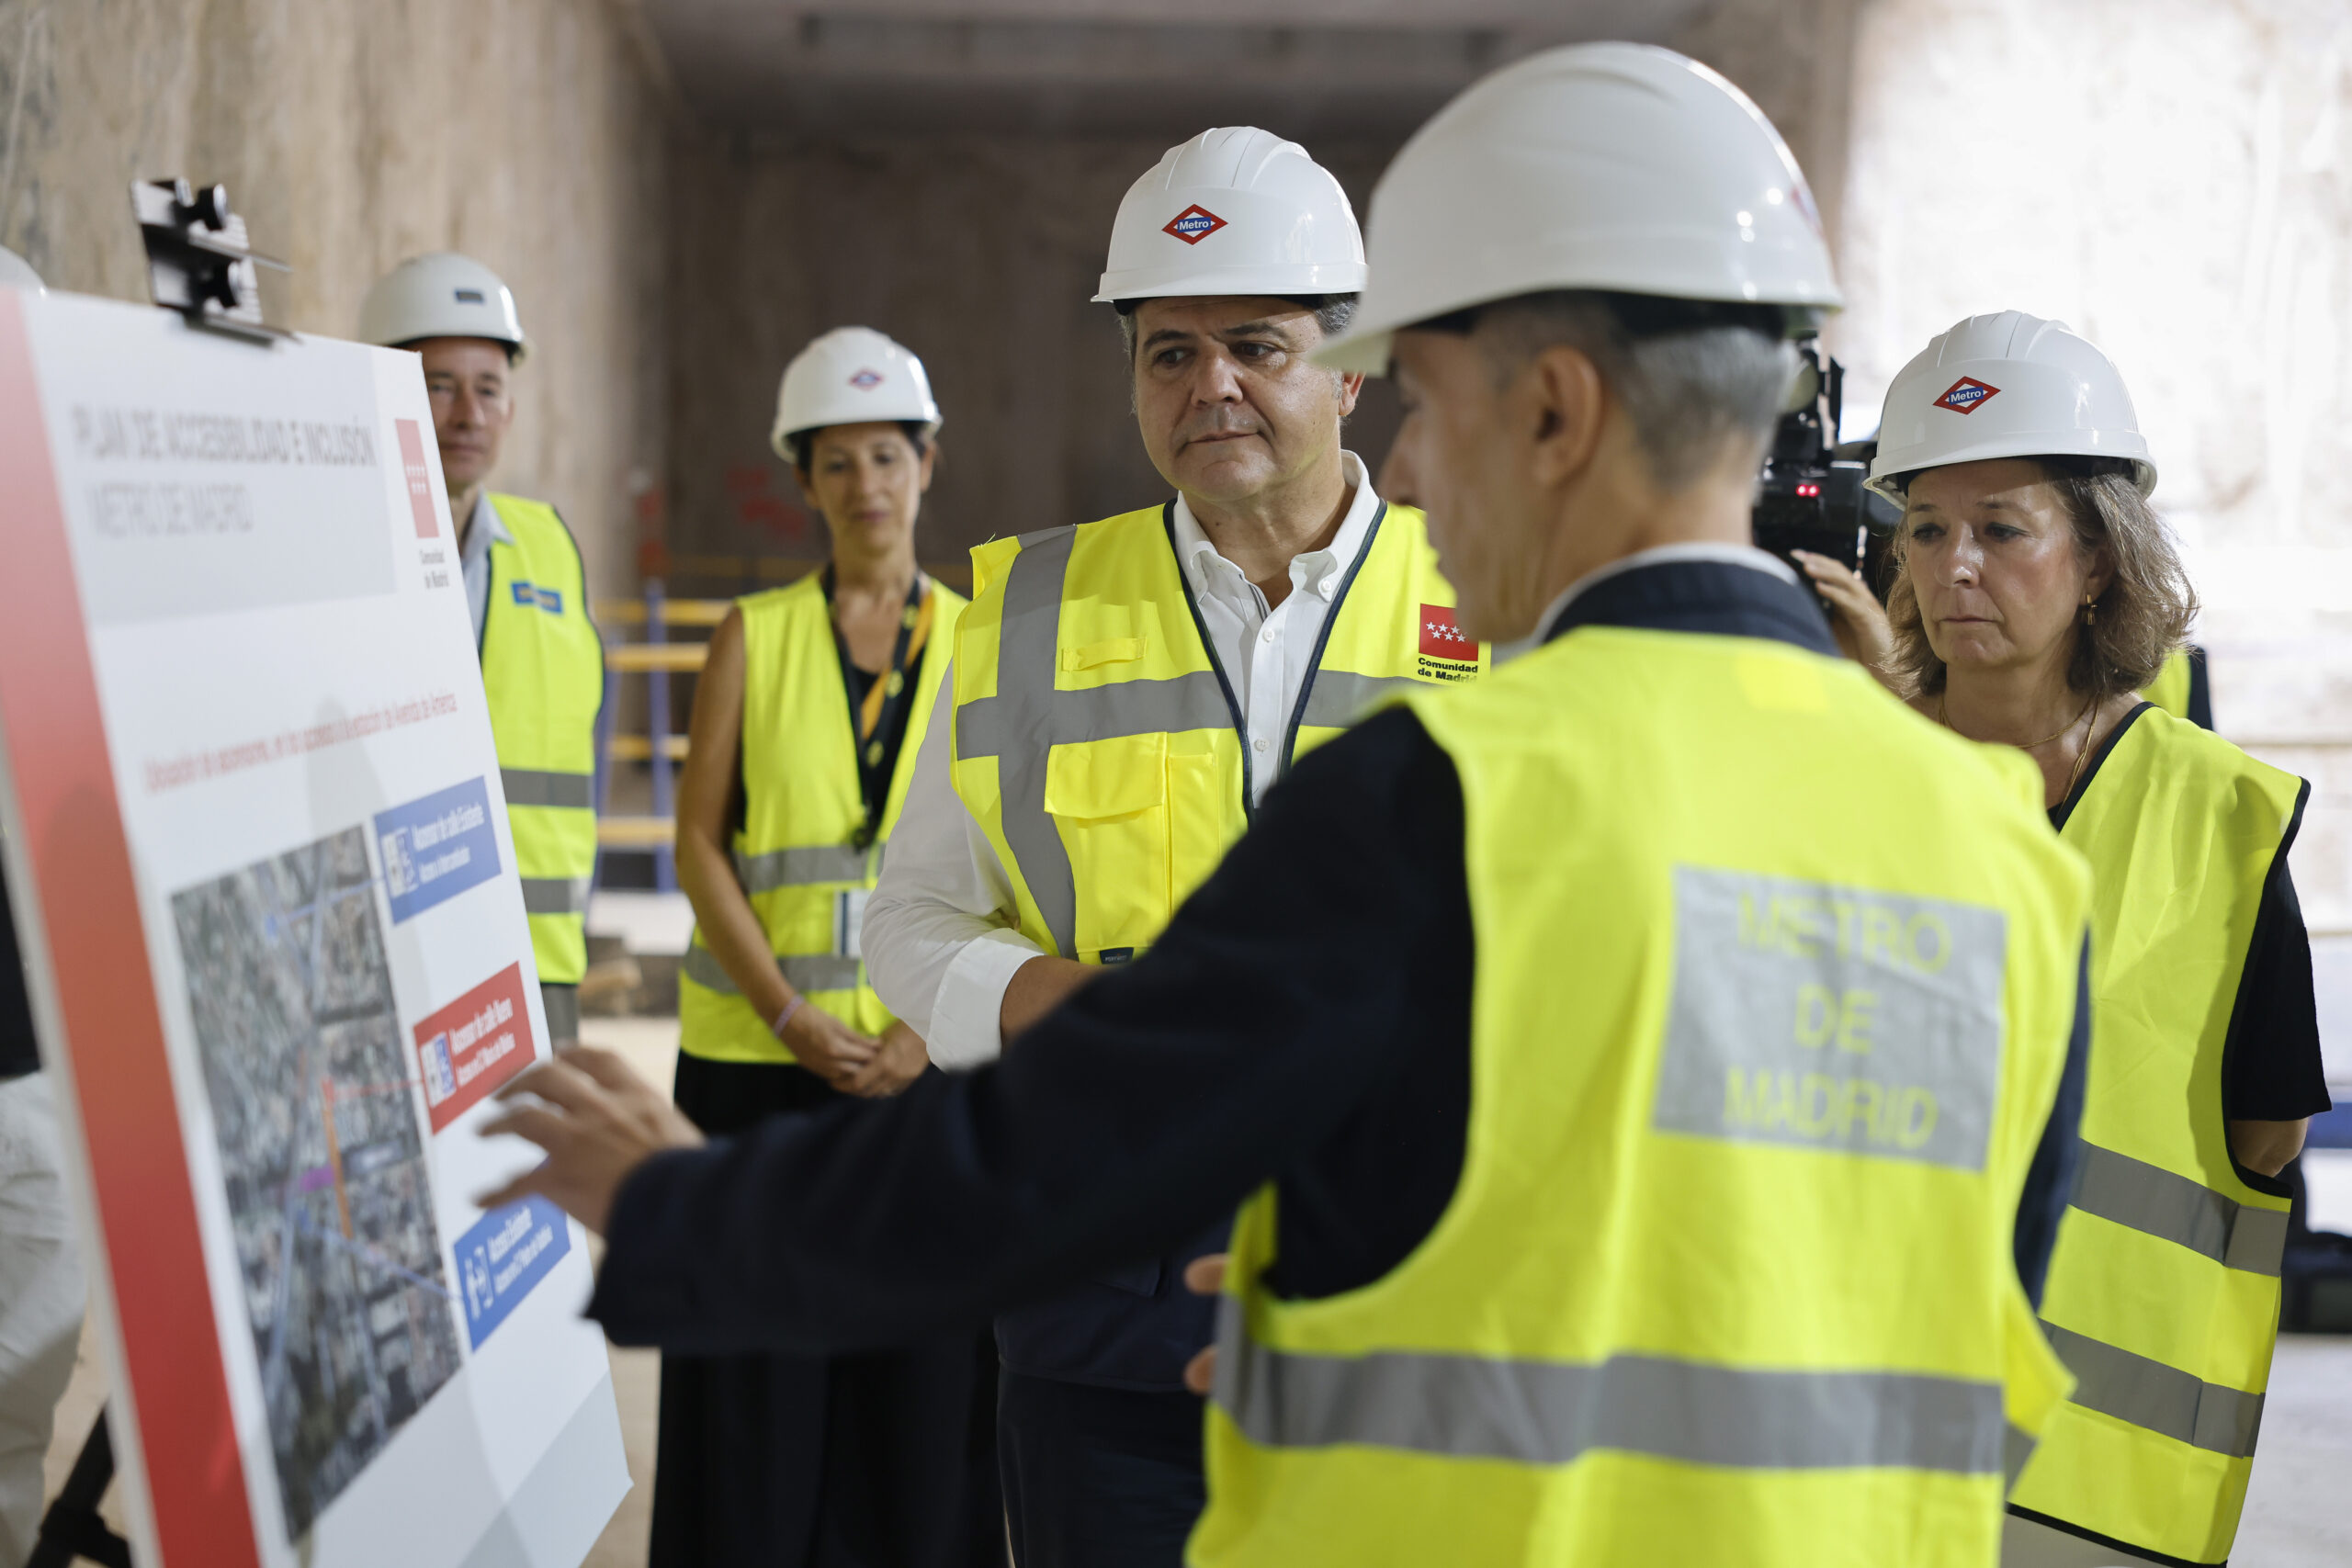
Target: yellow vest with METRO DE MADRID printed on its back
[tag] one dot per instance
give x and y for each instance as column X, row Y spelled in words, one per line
column 1775, row 989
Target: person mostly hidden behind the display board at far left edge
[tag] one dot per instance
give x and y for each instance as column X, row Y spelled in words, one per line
column 41, row 1268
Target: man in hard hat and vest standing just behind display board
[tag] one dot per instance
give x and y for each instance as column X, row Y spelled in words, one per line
column 542, row 662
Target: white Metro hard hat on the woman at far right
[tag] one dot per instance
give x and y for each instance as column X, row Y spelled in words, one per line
column 2007, row 387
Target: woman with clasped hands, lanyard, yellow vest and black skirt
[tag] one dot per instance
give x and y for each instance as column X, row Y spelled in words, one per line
column 808, row 721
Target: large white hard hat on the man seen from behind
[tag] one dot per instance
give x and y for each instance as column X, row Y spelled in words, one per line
column 1615, row 168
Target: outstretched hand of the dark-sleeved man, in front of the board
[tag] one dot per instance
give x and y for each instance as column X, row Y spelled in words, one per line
column 596, row 1120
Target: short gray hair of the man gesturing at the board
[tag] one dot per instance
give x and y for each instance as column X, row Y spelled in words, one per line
column 1690, row 375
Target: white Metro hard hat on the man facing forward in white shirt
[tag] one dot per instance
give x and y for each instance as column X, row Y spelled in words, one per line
column 1234, row 213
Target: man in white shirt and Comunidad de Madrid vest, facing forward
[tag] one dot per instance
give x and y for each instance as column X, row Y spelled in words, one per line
column 1123, row 697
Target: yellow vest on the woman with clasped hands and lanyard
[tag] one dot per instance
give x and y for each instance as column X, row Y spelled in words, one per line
column 796, row 855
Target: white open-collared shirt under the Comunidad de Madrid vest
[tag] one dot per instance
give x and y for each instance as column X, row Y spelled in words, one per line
column 937, row 942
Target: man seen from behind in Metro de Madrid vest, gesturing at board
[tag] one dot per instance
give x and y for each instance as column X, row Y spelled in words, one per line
column 1633, row 1059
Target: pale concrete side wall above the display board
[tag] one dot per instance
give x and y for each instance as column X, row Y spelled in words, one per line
column 356, row 133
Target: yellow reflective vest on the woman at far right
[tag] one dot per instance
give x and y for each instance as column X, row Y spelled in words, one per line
column 2165, row 1287
